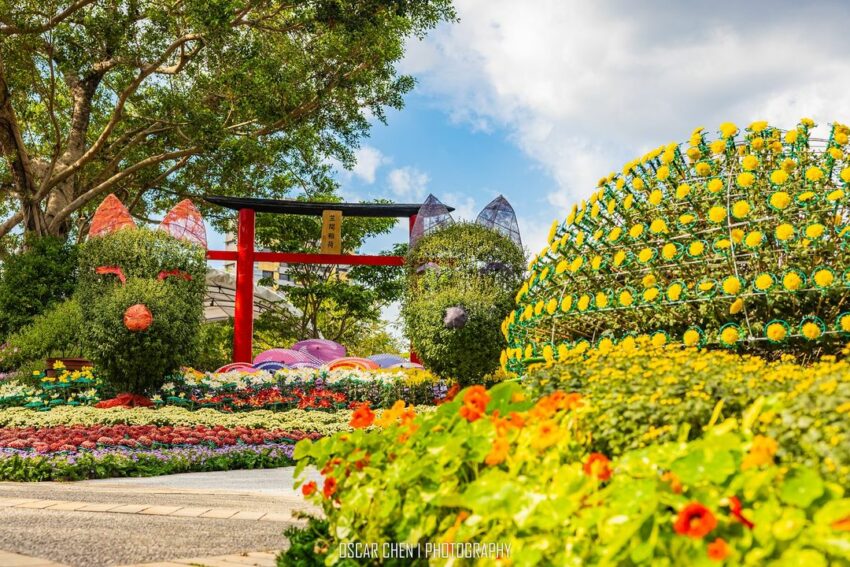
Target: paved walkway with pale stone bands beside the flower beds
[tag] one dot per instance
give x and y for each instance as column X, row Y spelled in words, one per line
column 220, row 518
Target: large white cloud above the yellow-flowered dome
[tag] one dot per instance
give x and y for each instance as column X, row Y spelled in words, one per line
column 582, row 87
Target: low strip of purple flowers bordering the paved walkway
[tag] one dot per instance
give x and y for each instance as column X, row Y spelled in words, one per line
column 17, row 465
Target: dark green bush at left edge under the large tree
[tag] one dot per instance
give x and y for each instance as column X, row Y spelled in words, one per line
column 33, row 280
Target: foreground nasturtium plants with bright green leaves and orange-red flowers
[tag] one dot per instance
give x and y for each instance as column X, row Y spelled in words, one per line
column 528, row 482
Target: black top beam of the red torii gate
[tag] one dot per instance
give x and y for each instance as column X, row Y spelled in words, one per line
column 315, row 208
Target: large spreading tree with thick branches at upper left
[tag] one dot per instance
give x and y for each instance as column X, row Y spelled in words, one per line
column 158, row 99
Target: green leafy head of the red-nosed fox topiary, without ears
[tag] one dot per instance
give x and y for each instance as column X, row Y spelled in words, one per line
column 139, row 361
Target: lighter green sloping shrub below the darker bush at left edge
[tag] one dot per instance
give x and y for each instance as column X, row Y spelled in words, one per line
column 54, row 333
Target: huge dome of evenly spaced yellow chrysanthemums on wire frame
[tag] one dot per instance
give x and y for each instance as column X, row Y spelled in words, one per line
column 741, row 242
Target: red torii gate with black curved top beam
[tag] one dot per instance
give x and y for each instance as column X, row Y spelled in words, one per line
column 245, row 255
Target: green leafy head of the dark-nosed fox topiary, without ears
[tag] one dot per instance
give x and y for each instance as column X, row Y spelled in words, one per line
column 461, row 283
